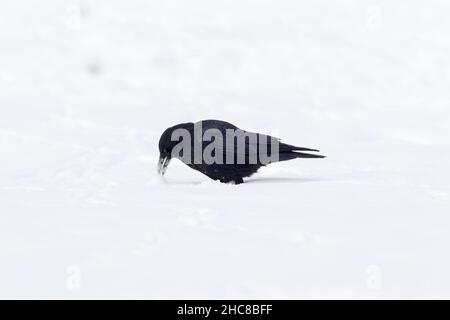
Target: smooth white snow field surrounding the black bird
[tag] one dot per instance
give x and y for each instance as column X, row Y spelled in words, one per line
column 87, row 87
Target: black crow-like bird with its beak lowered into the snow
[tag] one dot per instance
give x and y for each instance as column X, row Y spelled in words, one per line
column 224, row 170
